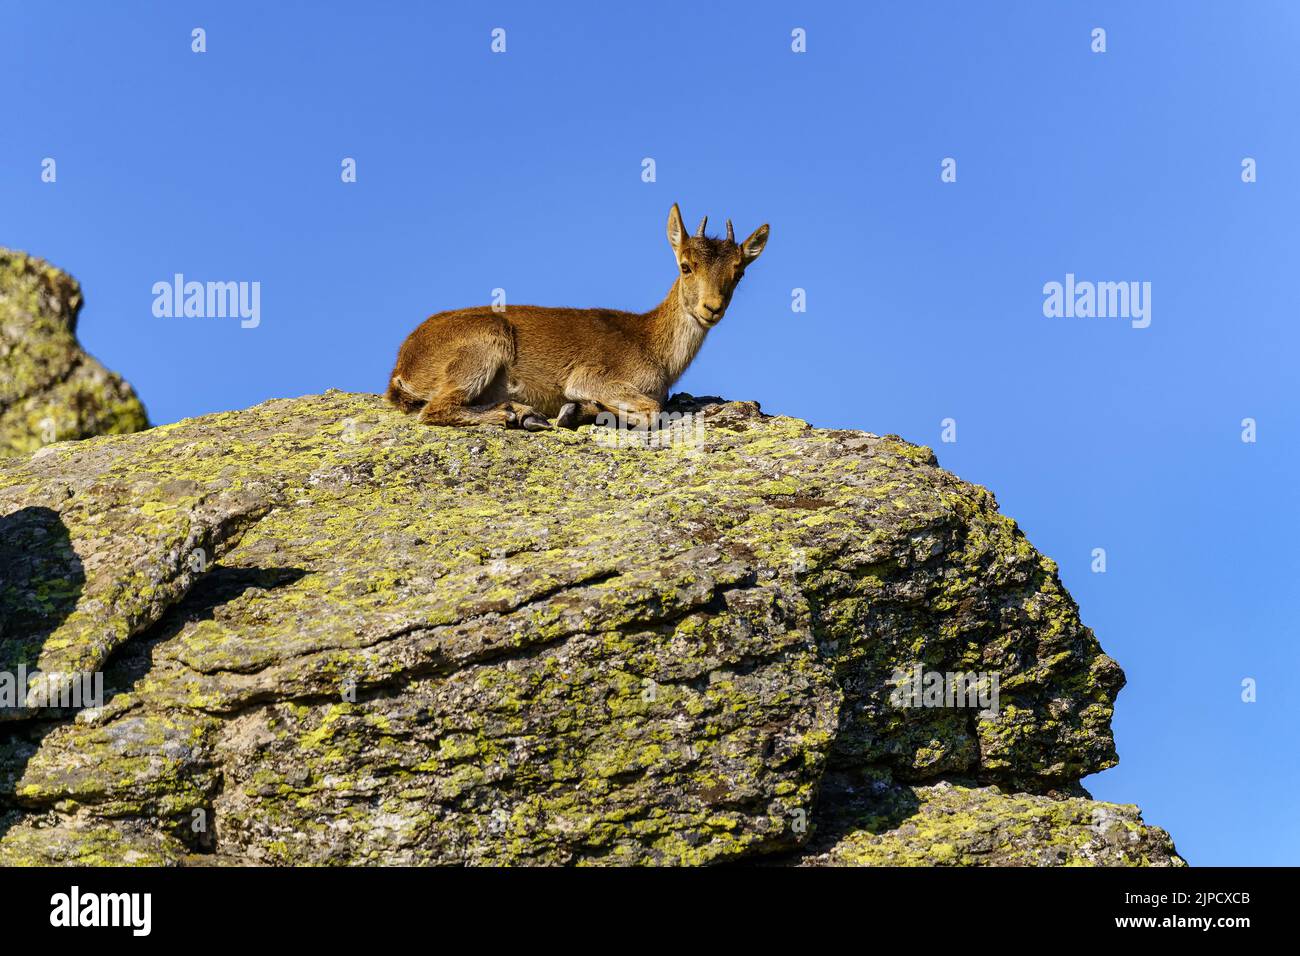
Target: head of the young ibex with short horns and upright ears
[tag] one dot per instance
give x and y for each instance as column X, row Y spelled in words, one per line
column 710, row 269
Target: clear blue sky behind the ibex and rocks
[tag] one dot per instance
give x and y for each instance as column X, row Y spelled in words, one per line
column 925, row 300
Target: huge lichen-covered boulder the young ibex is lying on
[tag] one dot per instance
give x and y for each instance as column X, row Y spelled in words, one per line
column 332, row 635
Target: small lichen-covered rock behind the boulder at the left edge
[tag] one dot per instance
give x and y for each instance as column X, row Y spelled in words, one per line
column 50, row 390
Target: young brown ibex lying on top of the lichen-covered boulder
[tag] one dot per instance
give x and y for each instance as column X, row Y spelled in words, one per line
column 527, row 365
